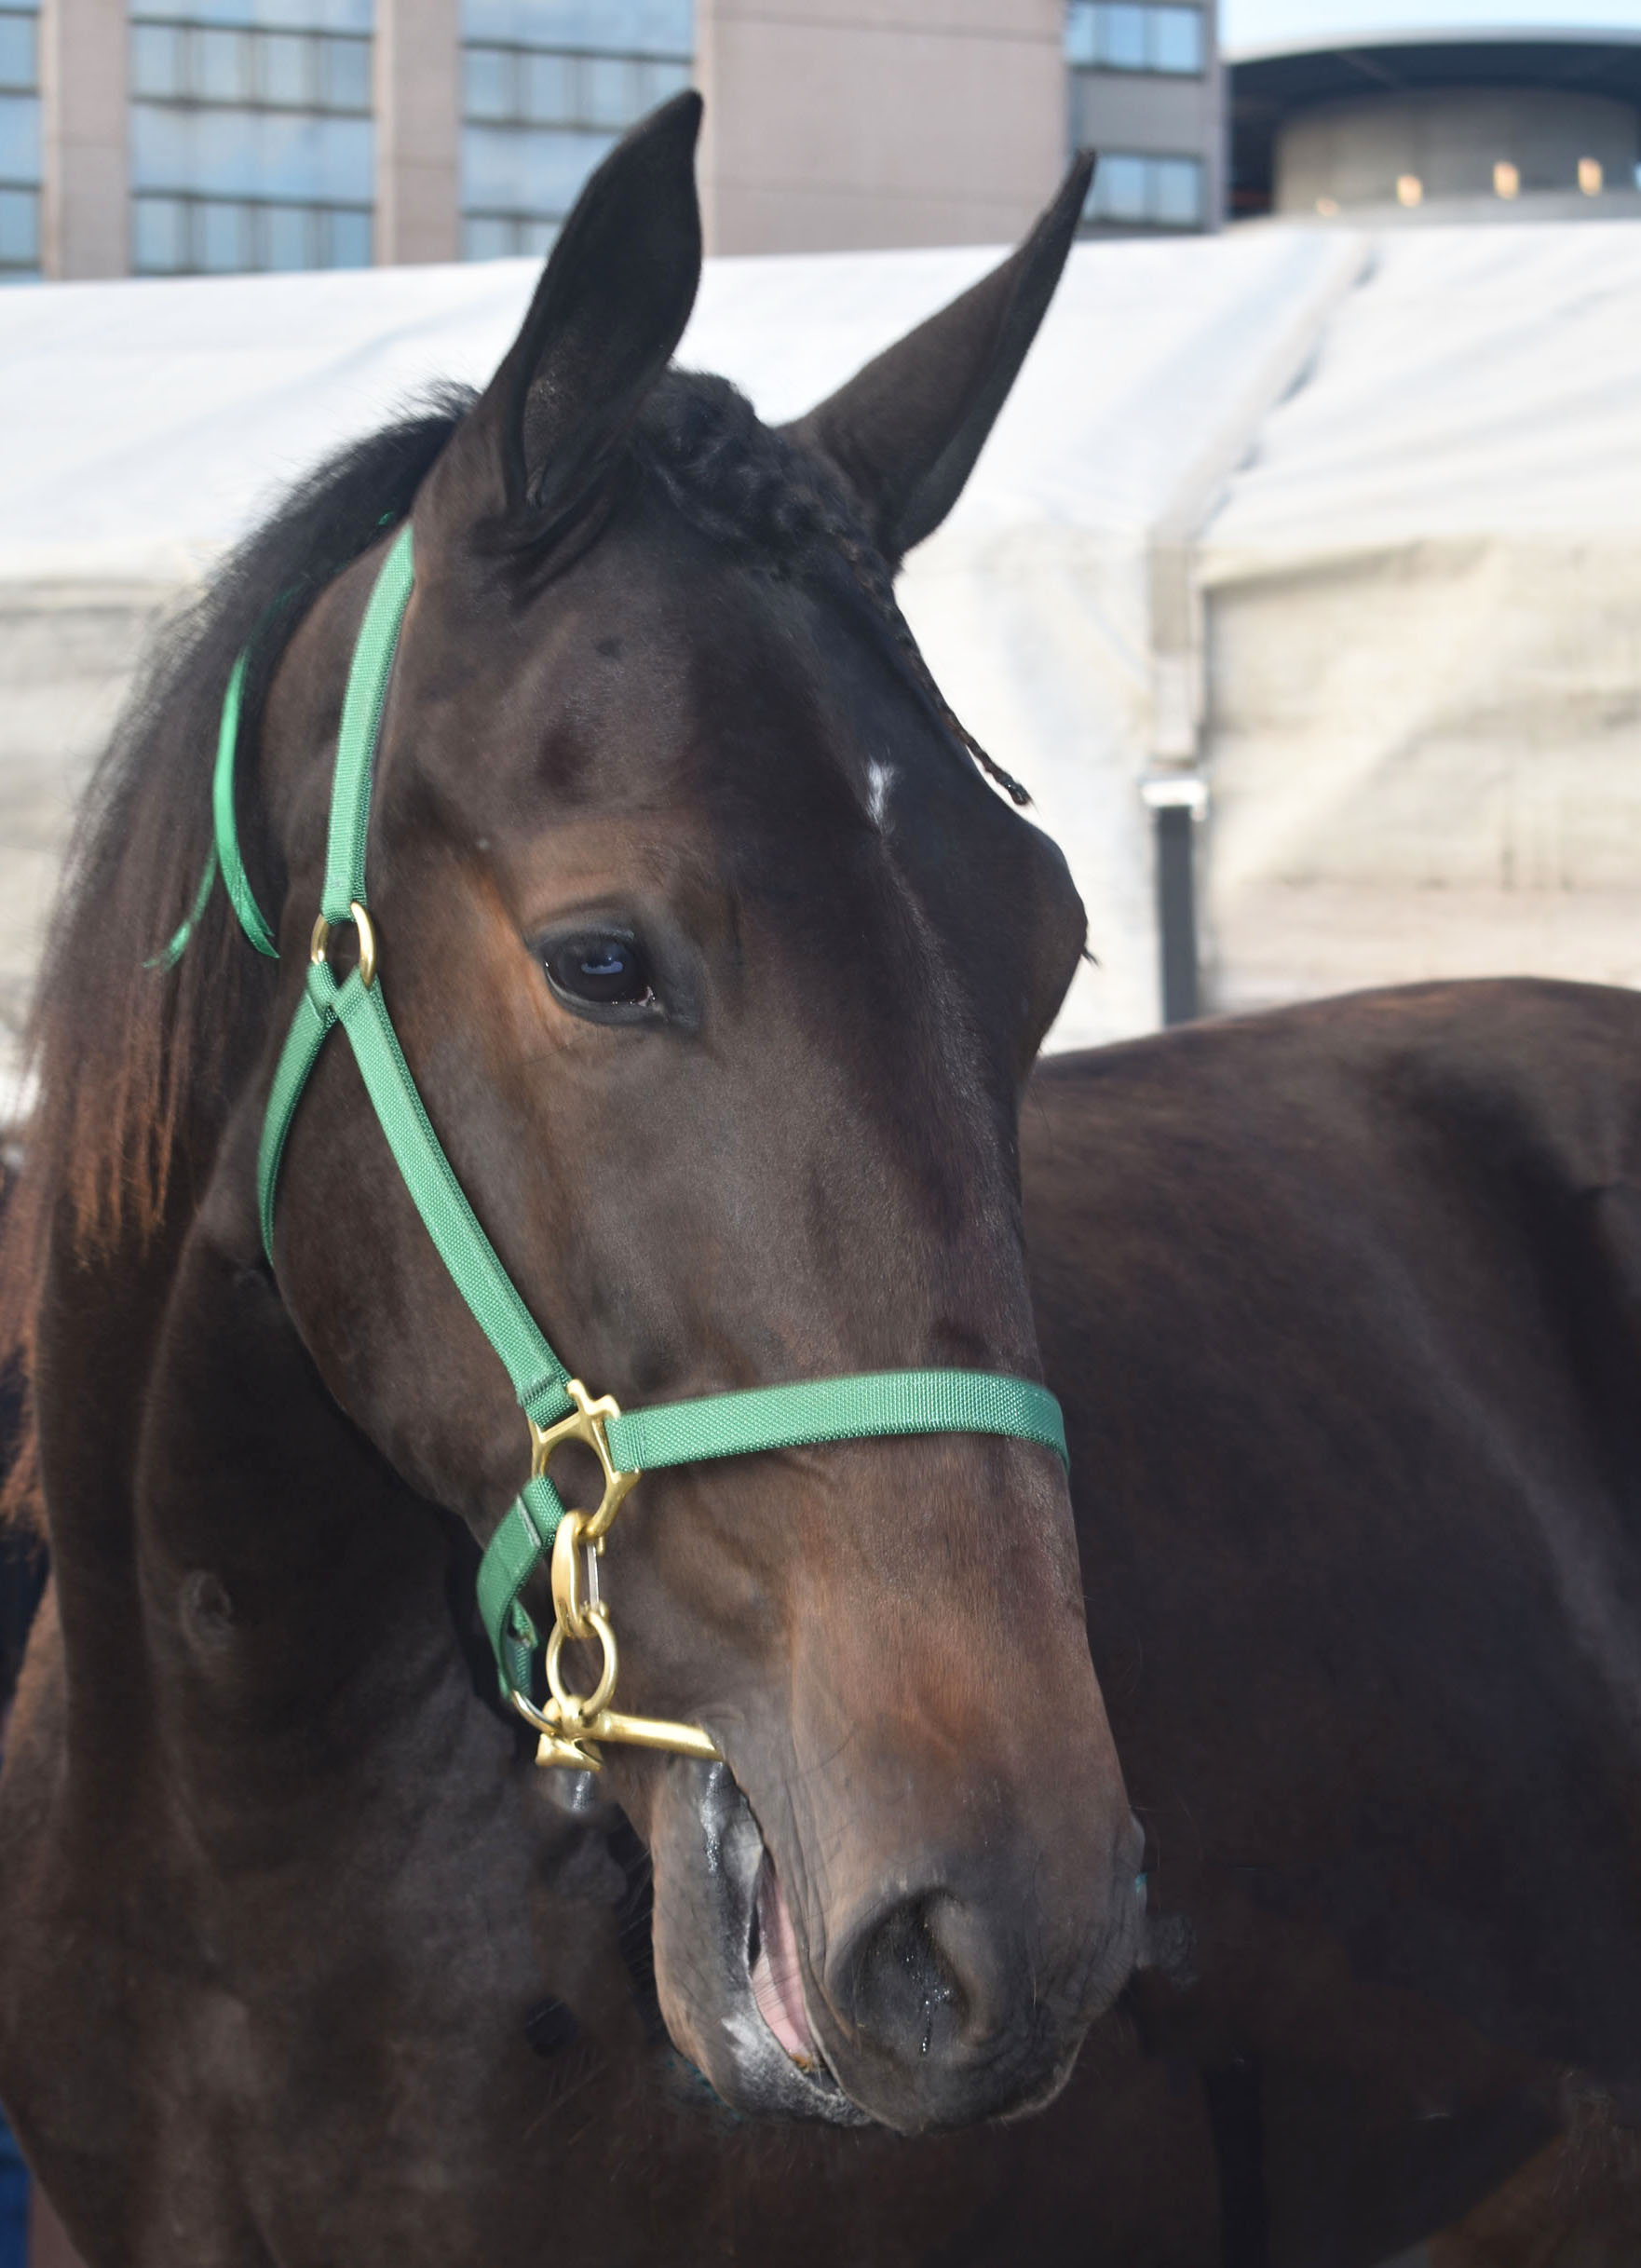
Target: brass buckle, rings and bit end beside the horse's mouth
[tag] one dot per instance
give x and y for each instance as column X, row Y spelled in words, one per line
column 572, row 1723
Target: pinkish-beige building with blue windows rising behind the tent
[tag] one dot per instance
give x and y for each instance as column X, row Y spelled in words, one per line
column 185, row 137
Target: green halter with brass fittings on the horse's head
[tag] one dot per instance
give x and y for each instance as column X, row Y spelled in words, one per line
column 556, row 1407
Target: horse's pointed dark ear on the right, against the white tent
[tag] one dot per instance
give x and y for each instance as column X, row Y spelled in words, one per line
column 905, row 432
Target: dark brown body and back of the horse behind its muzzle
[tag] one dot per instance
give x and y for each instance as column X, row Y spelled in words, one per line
column 1345, row 1308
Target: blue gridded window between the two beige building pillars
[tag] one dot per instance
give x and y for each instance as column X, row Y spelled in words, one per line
column 250, row 135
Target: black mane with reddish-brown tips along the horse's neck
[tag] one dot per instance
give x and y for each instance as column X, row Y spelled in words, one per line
column 137, row 1067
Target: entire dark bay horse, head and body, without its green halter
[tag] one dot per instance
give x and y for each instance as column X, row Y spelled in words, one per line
column 722, row 972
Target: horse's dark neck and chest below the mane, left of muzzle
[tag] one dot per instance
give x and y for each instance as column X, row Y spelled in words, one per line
column 253, row 1784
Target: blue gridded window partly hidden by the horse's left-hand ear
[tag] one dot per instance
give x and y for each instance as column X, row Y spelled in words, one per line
column 547, row 87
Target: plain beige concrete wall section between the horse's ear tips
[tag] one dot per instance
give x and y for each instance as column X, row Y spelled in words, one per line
column 865, row 124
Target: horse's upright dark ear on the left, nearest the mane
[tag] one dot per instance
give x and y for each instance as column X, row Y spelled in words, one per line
column 609, row 312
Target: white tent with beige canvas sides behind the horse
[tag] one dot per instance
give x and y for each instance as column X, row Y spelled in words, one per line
column 1402, row 468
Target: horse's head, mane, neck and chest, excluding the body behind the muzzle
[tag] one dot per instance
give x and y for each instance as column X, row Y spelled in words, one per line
column 720, row 967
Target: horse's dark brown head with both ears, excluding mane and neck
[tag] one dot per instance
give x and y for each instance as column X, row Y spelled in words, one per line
column 720, row 970
